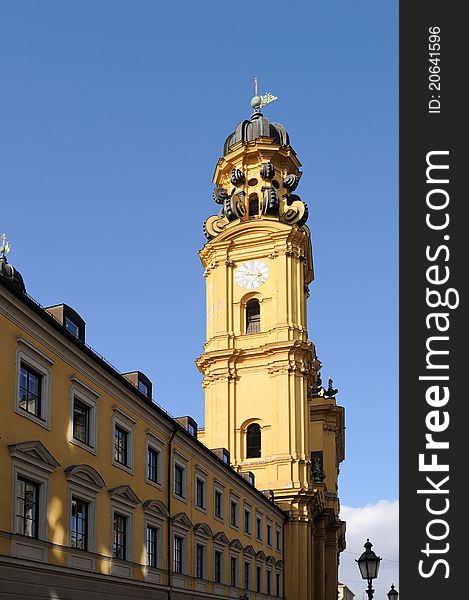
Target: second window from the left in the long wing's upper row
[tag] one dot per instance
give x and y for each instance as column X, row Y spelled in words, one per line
column 83, row 415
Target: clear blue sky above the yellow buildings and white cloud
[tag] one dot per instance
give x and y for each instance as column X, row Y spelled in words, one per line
column 112, row 118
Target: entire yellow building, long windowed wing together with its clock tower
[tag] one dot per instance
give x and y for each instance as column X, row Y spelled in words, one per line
column 105, row 495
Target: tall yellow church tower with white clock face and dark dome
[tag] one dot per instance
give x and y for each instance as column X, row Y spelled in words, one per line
column 264, row 400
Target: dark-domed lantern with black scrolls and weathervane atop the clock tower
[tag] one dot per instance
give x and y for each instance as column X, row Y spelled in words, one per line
column 256, row 175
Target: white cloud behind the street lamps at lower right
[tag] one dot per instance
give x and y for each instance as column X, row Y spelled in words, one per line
column 380, row 523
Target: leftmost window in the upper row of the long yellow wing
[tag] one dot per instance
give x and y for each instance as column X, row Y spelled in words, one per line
column 33, row 383
